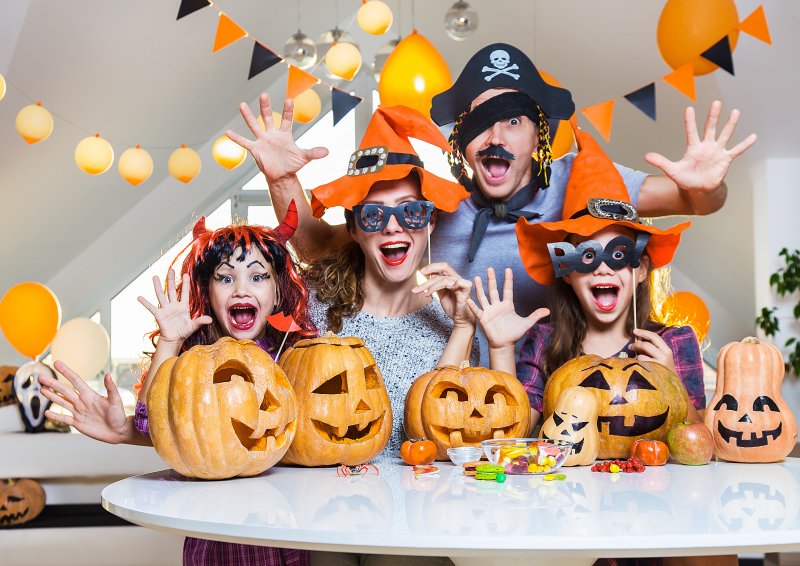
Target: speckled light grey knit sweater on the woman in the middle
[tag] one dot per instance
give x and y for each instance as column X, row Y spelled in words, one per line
column 404, row 348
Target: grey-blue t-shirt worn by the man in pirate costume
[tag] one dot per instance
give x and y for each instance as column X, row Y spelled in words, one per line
column 499, row 249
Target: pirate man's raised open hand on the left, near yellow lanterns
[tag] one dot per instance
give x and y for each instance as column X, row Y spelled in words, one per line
column 274, row 148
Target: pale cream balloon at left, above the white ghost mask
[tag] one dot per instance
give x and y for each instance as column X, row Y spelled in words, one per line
column 83, row 345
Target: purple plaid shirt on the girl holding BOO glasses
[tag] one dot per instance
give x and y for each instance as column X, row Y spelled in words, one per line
column 680, row 339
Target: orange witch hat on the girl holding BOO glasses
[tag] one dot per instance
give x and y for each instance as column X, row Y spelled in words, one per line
column 595, row 198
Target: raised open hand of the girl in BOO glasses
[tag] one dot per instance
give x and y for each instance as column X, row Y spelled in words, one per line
column 501, row 323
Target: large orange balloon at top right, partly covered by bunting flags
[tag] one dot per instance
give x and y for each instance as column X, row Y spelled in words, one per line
column 686, row 28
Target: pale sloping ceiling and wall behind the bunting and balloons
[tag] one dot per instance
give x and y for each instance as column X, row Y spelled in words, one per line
column 128, row 70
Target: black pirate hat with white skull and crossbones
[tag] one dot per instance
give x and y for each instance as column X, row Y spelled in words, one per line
column 500, row 65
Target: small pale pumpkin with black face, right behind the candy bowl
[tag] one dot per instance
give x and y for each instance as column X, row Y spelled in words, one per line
column 574, row 419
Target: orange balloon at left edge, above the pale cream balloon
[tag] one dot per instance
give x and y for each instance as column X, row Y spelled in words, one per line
column 29, row 317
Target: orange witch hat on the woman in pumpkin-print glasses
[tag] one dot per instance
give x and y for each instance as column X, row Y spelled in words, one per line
column 385, row 154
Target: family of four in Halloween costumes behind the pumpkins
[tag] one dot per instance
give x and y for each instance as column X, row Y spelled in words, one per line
column 565, row 235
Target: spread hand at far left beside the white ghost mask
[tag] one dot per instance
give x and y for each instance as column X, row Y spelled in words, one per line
column 96, row 416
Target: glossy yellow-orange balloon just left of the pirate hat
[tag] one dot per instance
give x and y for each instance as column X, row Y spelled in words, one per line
column 413, row 74
